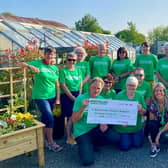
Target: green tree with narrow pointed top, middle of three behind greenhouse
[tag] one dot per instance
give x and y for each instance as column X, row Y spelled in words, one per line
column 131, row 34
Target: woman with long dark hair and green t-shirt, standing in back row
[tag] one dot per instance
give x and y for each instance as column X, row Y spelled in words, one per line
column 121, row 68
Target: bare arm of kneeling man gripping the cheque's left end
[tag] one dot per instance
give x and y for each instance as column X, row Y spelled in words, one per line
column 77, row 115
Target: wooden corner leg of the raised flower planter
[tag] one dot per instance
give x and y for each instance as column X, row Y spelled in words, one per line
column 40, row 146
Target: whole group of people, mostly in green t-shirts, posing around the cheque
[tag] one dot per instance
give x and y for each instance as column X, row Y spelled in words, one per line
column 102, row 78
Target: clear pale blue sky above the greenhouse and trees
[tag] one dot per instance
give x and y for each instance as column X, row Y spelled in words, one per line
column 112, row 15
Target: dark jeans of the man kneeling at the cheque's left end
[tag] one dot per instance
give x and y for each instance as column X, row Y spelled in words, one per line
column 87, row 143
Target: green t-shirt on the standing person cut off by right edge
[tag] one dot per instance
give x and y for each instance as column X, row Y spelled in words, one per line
column 162, row 68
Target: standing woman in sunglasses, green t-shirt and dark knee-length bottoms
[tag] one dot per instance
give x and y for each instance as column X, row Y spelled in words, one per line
column 71, row 87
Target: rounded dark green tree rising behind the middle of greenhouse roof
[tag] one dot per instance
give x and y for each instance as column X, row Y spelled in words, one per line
column 90, row 24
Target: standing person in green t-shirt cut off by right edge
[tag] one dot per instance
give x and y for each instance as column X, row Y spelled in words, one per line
column 162, row 68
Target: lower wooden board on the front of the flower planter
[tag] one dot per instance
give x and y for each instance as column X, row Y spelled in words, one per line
column 18, row 149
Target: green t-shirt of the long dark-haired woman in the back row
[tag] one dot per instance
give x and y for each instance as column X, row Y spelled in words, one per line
column 119, row 67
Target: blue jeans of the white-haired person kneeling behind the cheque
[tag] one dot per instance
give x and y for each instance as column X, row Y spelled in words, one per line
column 128, row 140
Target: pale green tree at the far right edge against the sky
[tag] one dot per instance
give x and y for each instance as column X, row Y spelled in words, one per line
column 159, row 33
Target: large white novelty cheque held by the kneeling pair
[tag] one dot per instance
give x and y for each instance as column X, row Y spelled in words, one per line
column 105, row 111
